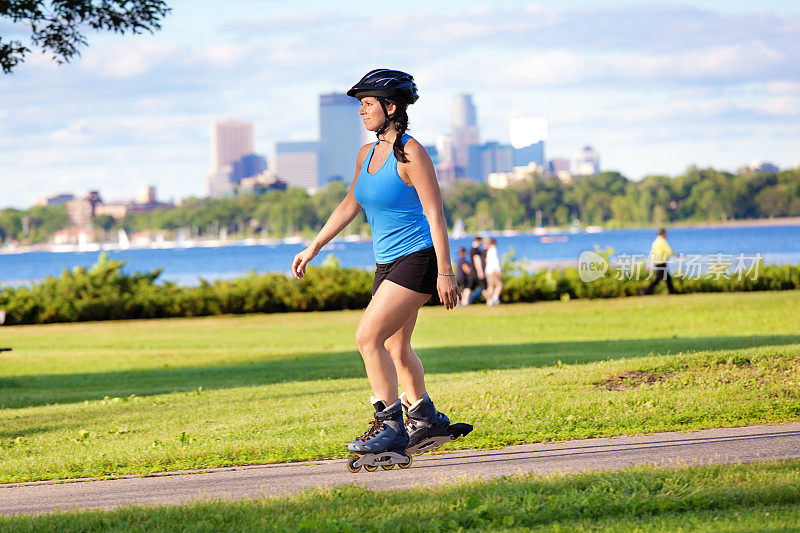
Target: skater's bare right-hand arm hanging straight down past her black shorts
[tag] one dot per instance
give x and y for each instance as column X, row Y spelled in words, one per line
column 419, row 170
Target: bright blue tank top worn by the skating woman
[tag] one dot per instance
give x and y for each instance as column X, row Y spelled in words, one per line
column 393, row 210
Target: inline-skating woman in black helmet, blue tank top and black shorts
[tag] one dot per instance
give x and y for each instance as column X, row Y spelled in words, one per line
column 395, row 183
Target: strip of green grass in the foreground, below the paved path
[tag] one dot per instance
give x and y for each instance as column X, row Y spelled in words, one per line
column 749, row 497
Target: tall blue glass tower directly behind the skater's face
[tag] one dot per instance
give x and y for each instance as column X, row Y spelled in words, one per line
column 341, row 133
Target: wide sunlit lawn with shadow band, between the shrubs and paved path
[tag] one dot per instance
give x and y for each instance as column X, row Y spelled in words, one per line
column 133, row 397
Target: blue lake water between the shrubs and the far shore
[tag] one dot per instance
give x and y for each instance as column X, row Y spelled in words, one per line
column 778, row 244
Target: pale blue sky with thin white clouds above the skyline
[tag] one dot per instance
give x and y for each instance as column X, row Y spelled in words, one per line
column 653, row 87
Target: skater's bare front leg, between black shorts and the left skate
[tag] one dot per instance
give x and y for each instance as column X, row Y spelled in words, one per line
column 390, row 308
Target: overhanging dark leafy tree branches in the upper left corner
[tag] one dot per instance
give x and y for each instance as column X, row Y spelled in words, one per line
column 56, row 26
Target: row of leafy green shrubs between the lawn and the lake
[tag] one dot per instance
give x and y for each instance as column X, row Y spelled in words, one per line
column 104, row 292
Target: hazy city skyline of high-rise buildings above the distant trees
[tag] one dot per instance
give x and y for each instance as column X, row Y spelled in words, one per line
column 459, row 153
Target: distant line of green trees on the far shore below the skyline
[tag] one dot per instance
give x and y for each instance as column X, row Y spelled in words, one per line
column 608, row 199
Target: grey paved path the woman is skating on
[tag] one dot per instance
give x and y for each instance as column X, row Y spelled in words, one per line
column 725, row 445
